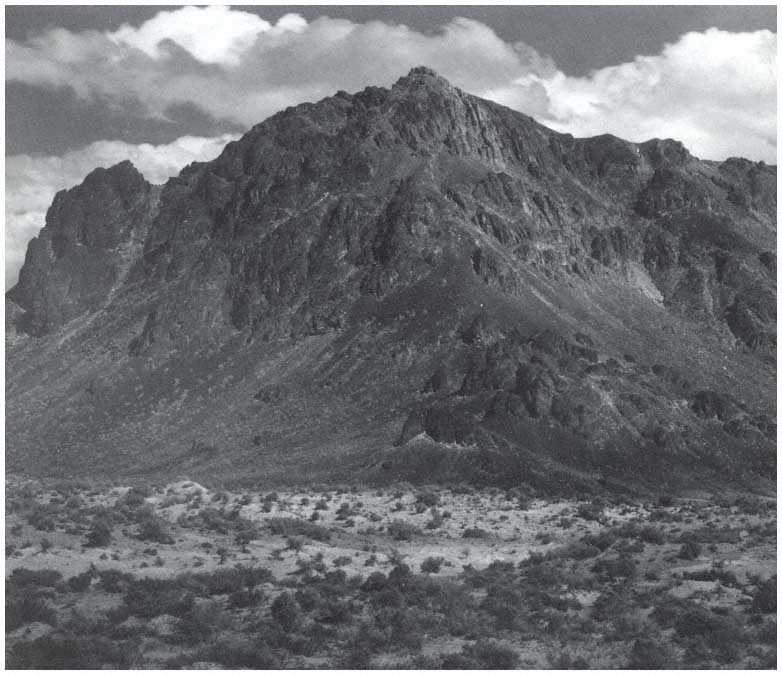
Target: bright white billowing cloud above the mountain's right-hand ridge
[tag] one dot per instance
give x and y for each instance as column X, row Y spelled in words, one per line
column 715, row 91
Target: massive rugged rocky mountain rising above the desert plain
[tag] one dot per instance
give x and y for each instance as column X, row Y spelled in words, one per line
column 406, row 283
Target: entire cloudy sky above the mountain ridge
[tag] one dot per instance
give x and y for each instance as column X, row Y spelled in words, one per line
column 89, row 86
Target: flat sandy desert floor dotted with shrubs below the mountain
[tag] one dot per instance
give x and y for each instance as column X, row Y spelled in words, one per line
column 612, row 589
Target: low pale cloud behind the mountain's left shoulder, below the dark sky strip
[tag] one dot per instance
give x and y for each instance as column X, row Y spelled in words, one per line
column 31, row 182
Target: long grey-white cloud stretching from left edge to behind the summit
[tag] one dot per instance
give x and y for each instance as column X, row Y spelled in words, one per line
column 234, row 65
